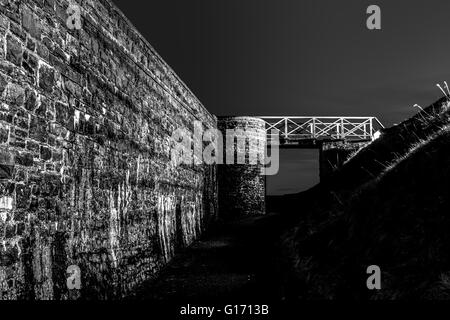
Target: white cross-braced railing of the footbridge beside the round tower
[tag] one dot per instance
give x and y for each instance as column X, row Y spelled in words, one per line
column 303, row 128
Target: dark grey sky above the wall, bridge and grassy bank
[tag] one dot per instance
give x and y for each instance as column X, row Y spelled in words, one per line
column 302, row 57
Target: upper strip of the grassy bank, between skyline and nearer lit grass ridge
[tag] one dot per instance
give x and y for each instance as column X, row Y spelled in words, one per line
column 370, row 162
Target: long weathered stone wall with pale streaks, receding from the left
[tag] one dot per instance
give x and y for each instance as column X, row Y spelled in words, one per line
column 86, row 179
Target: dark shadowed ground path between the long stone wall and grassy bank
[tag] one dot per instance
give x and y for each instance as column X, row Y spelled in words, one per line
column 236, row 262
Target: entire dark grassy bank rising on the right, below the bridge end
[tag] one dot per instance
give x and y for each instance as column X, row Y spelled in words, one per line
column 390, row 210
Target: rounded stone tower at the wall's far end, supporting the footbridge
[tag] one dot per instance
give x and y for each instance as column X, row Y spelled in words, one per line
column 242, row 188
